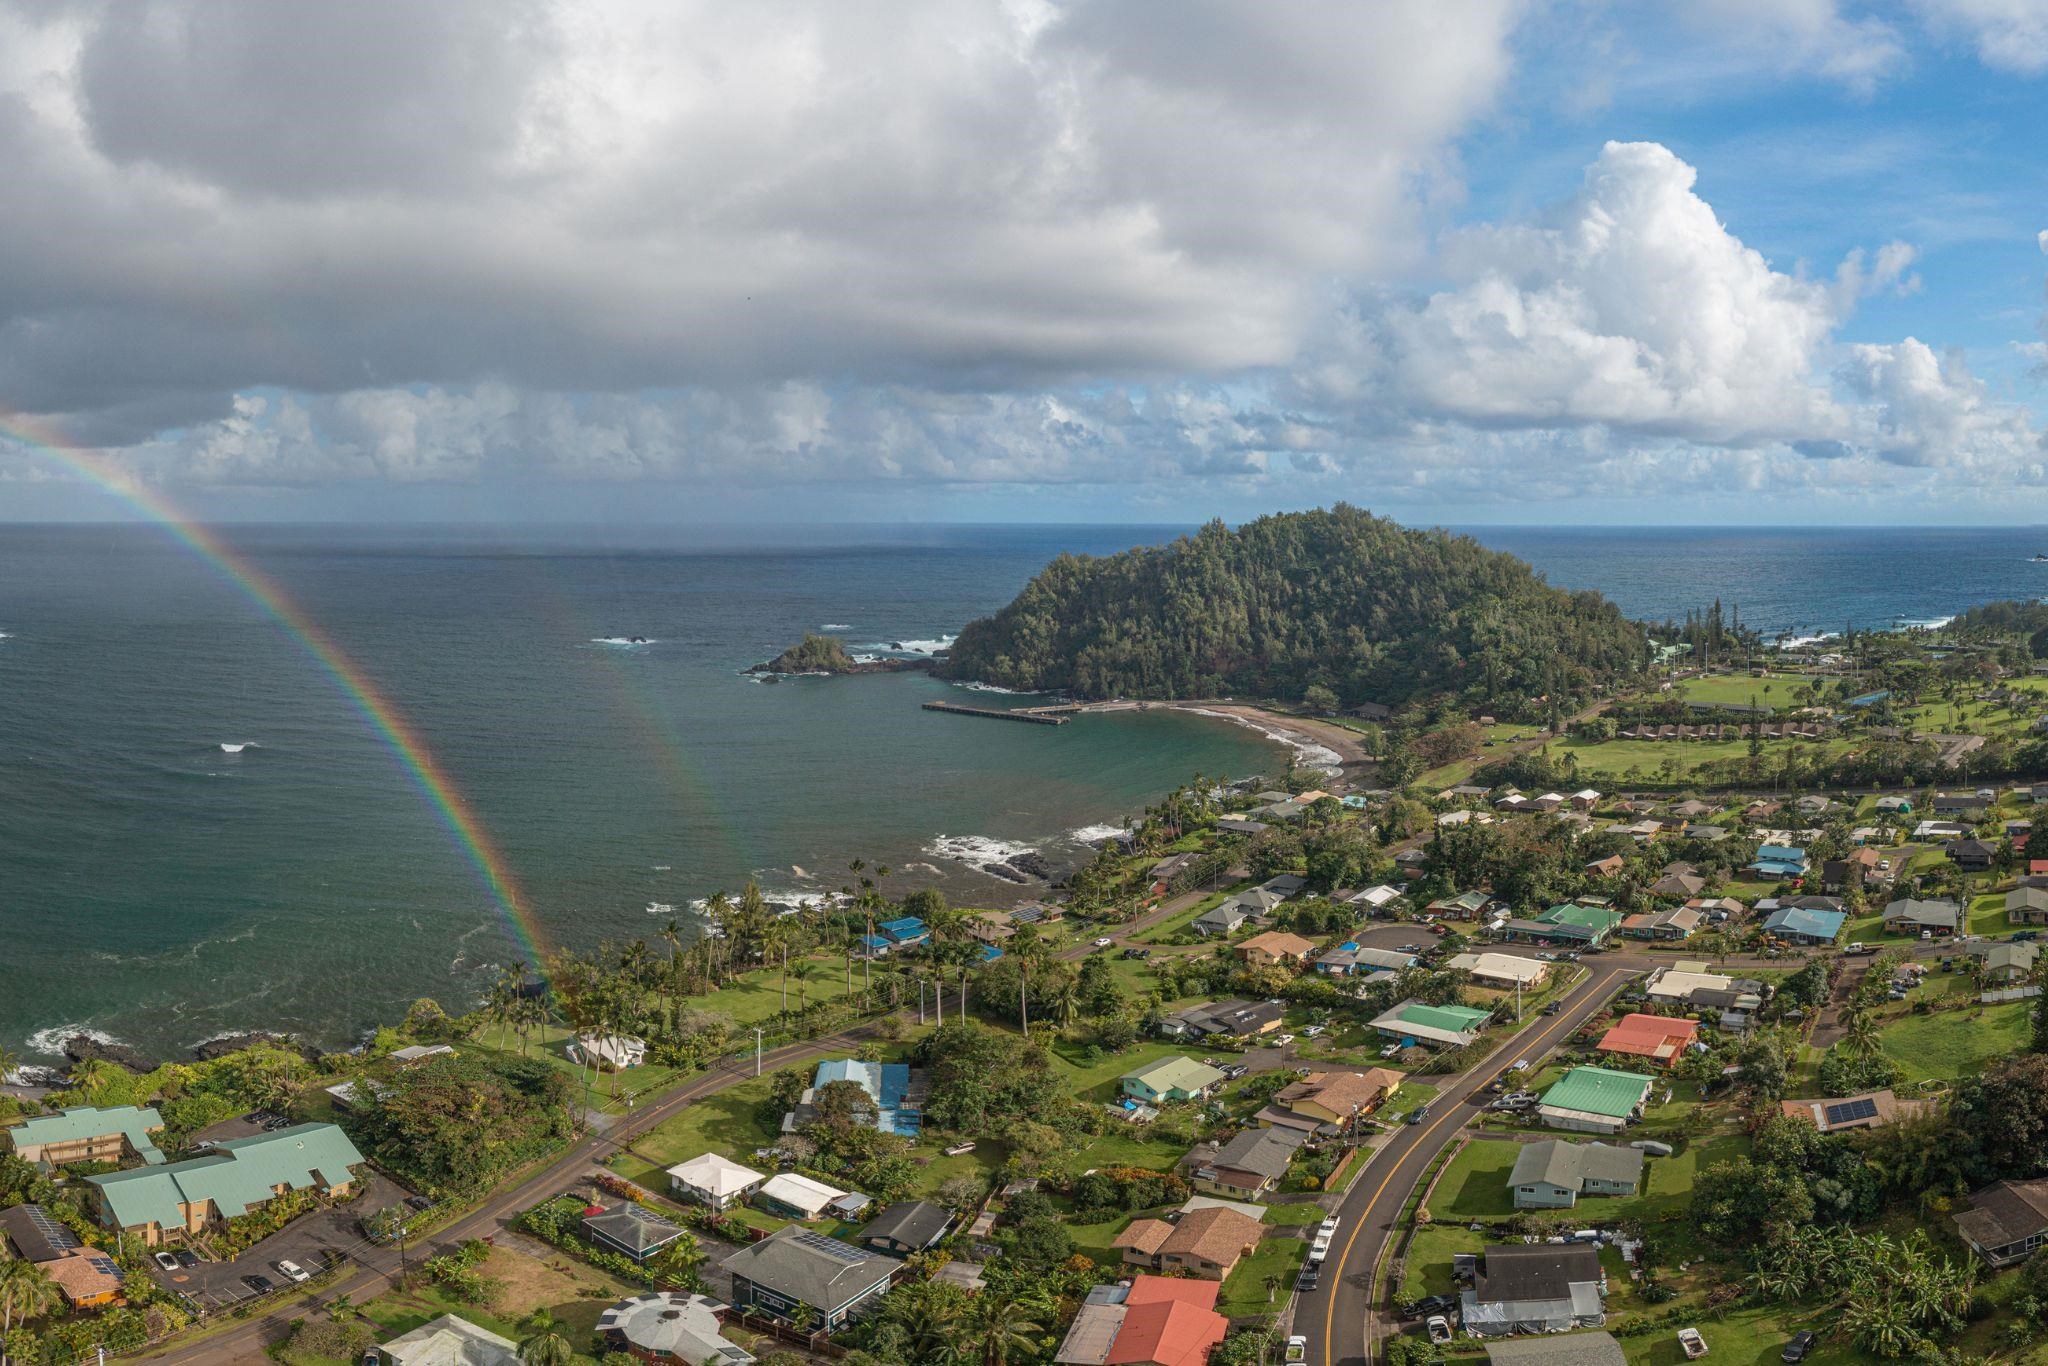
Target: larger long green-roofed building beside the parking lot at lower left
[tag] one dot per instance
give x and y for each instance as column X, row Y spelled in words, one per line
column 234, row 1179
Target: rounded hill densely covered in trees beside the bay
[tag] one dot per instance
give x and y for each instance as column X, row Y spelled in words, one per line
column 1338, row 601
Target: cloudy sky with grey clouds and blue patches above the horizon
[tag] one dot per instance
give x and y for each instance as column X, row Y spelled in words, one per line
column 673, row 261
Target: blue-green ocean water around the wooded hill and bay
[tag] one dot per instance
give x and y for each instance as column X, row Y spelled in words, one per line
column 202, row 835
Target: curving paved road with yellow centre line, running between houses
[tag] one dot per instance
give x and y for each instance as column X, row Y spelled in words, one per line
column 1338, row 1318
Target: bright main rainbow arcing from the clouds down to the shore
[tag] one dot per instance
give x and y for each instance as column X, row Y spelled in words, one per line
column 386, row 720
